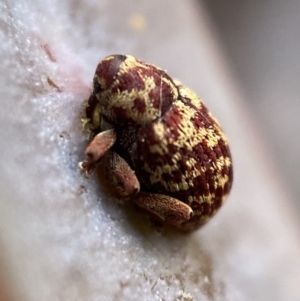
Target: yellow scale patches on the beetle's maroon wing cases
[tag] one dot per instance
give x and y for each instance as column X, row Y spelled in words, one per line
column 186, row 129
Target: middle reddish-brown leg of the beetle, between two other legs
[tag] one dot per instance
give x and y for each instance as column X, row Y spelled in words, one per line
column 120, row 175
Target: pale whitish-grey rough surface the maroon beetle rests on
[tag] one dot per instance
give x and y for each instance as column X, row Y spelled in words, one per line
column 62, row 236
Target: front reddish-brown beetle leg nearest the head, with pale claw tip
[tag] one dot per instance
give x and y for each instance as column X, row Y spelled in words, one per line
column 96, row 149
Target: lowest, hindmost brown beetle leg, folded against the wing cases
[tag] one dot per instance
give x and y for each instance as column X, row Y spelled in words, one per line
column 168, row 209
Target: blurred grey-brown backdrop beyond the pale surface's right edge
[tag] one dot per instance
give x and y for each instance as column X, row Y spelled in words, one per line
column 261, row 39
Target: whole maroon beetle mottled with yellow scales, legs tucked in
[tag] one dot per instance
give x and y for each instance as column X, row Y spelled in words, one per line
column 161, row 147
